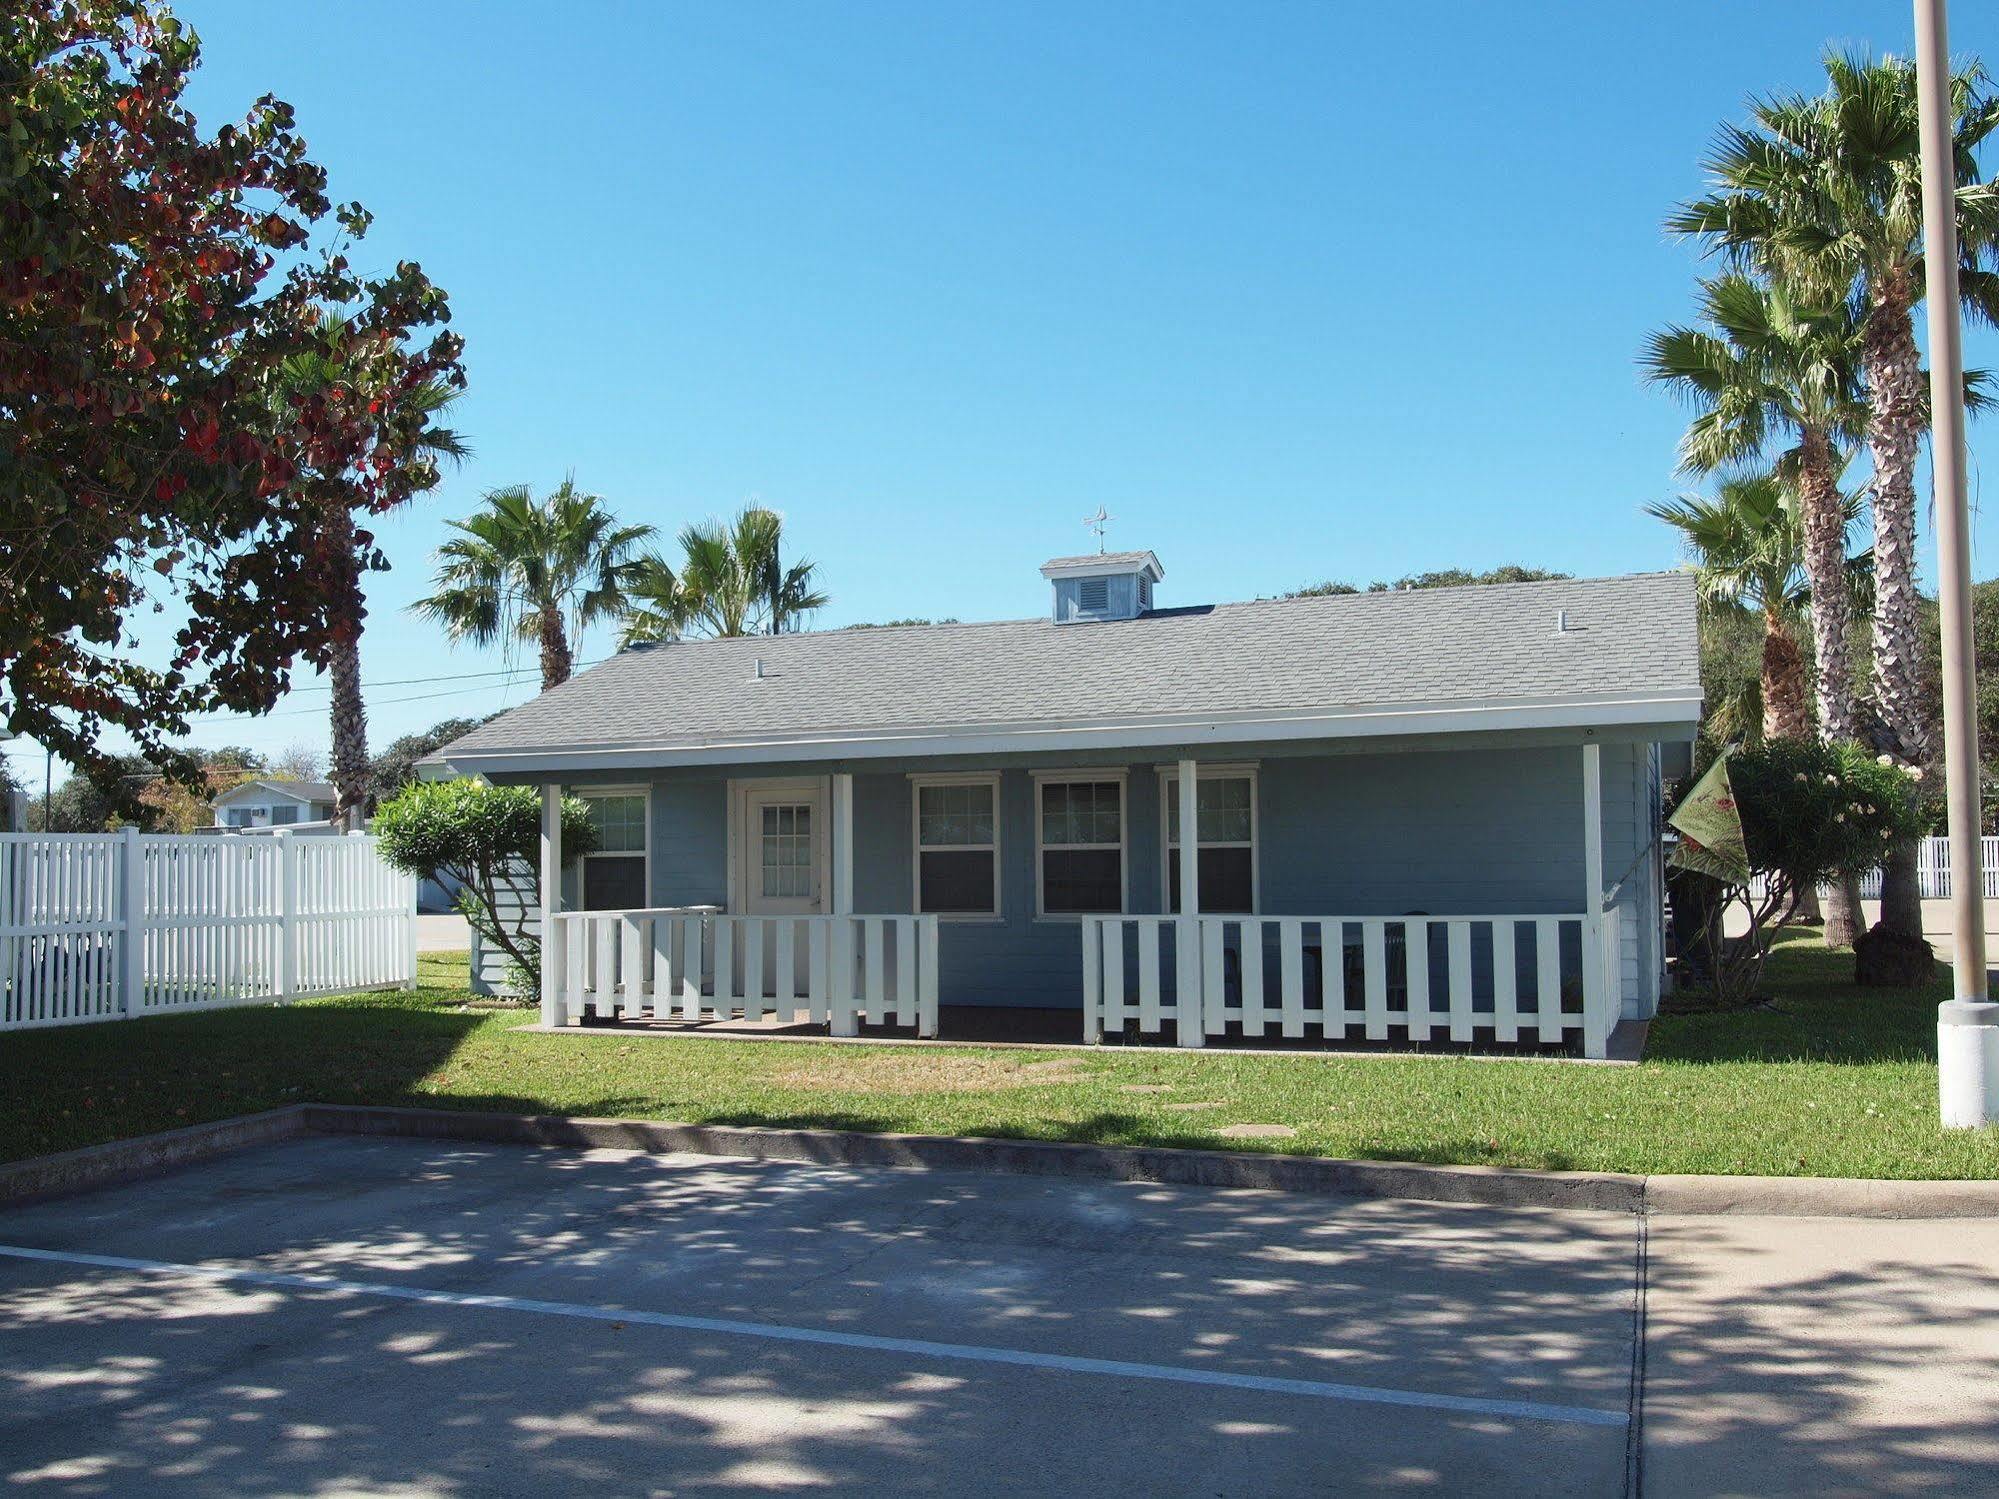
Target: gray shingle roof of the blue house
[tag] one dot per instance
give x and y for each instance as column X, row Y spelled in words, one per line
column 1488, row 645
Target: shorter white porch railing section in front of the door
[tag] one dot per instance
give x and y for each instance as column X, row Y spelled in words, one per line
column 701, row 964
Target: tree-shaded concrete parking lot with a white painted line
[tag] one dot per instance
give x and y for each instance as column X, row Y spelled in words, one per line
column 349, row 1316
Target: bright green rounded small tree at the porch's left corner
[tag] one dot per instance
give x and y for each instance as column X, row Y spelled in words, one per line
column 489, row 838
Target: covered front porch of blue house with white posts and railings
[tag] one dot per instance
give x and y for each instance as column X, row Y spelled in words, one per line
column 1486, row 958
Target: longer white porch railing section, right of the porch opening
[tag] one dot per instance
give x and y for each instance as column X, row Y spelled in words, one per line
column 1418, row 978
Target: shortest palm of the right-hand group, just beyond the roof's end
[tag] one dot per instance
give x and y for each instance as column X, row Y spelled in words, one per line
column 1748, row 551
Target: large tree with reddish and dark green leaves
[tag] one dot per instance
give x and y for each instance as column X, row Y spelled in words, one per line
column 163, row 447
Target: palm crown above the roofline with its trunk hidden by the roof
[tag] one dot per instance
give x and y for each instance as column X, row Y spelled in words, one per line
column 733, row 583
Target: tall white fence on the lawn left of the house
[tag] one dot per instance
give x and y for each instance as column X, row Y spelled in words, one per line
column 117, row 926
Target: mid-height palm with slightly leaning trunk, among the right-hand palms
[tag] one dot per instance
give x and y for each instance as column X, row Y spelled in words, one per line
column 1764, row 373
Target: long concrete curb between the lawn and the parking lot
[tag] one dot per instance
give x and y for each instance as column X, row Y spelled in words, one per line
column 1492, row 1186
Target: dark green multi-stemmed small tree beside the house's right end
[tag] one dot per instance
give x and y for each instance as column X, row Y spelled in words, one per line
column 1810, row 812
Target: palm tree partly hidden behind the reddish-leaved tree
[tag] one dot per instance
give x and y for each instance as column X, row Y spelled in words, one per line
column 329, row 367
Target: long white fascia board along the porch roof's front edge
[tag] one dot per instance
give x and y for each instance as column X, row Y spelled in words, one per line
column 1672, row 717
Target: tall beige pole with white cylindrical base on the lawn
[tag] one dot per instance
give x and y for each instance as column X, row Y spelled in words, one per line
column 1968, row 1024
